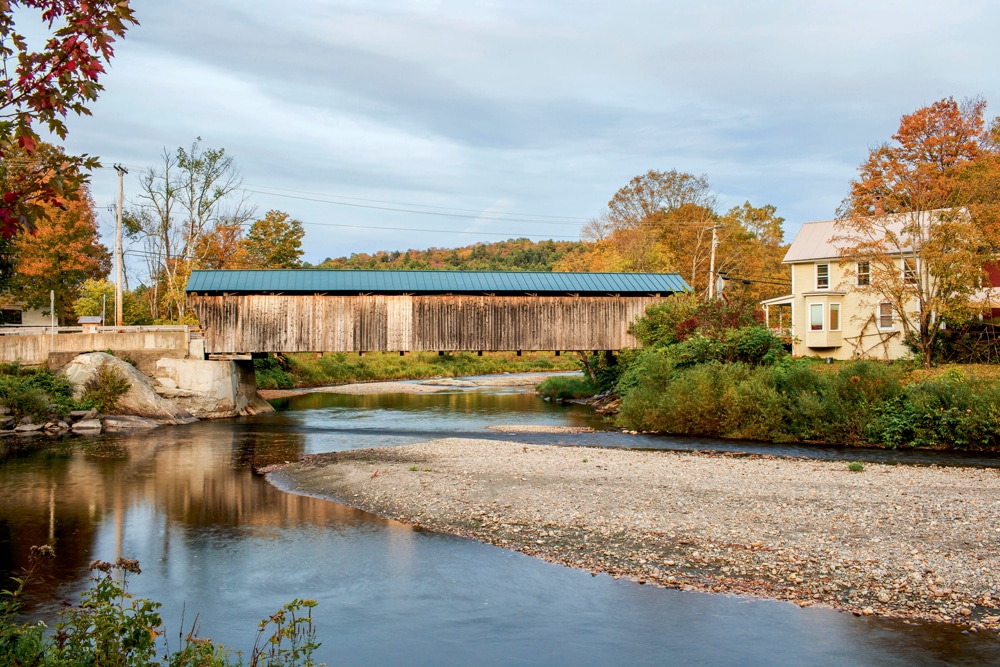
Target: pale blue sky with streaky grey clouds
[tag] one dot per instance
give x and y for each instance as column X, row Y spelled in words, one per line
column 479, row 120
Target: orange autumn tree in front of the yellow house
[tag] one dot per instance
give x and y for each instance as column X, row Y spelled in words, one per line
column 919, row 215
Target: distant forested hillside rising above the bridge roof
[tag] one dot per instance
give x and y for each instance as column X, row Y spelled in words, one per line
column 511, row 255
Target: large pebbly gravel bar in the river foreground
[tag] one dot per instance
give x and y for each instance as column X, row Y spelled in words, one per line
column 894, row 541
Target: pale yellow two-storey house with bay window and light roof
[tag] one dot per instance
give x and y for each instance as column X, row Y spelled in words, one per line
column 827, row 316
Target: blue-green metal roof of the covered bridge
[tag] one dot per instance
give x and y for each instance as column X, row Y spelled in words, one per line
column 319, row 281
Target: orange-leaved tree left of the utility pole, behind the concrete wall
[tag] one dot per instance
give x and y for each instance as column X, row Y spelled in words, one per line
column 62, row 253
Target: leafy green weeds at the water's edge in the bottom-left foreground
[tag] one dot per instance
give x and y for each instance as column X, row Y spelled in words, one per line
column 112, row 628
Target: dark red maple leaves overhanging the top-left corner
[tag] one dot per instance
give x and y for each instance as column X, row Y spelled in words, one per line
column 41, row 87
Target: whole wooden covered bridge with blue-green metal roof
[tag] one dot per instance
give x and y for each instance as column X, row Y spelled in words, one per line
column 246, row 312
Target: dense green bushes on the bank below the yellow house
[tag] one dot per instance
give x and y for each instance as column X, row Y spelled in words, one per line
column 711, row 370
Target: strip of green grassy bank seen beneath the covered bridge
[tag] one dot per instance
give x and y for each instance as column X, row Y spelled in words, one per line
column 305, row 370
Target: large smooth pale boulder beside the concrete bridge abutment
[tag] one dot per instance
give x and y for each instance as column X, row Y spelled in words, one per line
column 140, row 400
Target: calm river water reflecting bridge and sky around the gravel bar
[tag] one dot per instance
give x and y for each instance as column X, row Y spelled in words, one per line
column 218, row 540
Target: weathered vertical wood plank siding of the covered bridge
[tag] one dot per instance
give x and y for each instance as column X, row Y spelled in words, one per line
column 265, row 323
